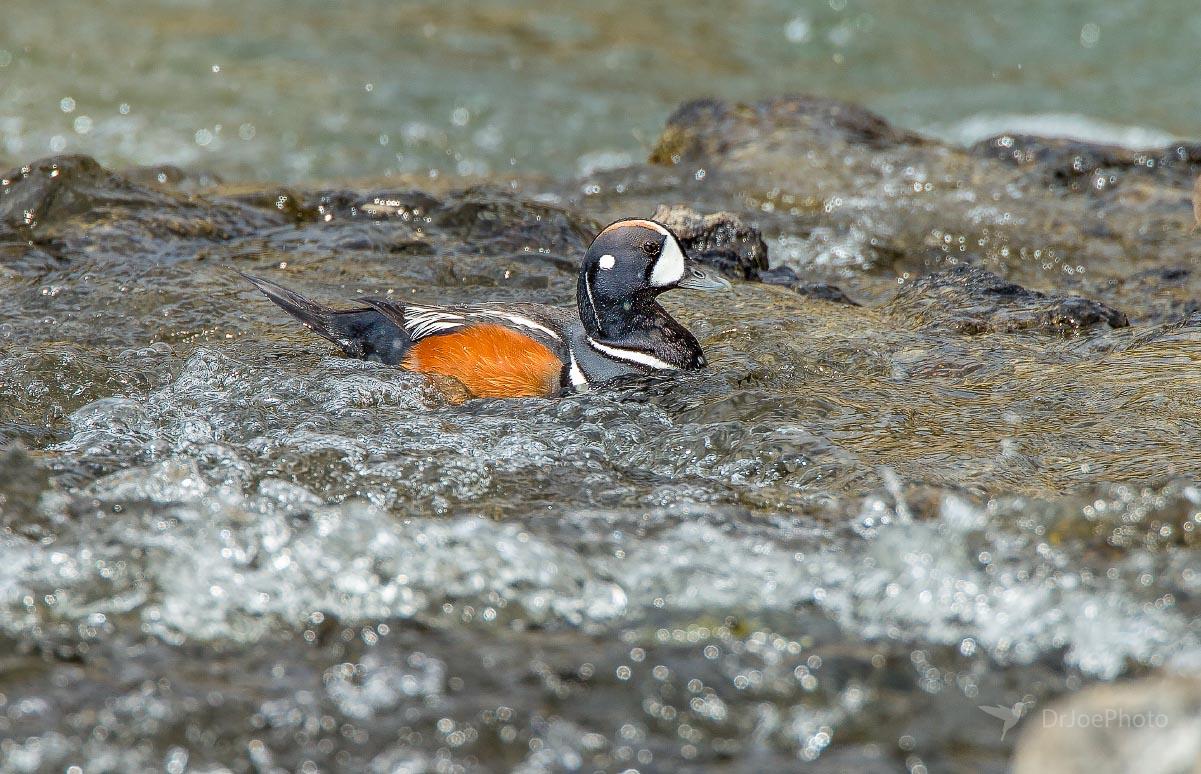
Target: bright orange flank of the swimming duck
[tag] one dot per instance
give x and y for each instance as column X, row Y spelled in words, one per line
column 491, row 361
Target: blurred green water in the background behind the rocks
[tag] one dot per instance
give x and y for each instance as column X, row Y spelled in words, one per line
column 309, row 90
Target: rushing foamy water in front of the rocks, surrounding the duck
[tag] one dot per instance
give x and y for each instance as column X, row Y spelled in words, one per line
column 229, row 547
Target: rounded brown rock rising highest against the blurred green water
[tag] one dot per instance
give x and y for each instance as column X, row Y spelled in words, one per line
column 709, row 129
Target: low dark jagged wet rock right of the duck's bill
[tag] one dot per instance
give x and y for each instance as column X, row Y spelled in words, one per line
column 970, row 301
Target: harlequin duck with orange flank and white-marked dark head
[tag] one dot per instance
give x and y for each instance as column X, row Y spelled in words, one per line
column 533, row 350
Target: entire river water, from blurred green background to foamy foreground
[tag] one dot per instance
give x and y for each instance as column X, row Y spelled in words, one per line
column 224, row 547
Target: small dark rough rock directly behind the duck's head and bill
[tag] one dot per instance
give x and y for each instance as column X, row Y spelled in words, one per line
column 720, row 240
